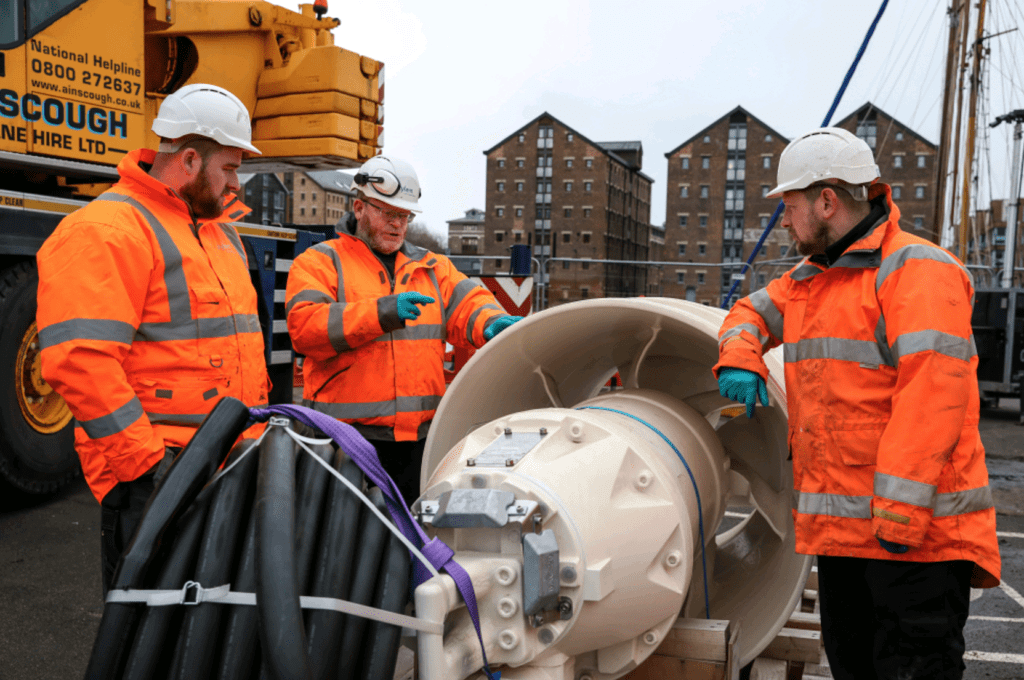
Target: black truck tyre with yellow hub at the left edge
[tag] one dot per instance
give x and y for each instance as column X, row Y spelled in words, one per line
column 37, row 443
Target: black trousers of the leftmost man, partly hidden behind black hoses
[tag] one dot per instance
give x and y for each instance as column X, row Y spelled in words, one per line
column 121, row 513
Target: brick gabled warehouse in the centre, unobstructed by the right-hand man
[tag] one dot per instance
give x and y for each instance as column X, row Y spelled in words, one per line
column 568, row 197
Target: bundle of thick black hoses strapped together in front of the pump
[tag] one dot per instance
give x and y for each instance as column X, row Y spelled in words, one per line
column 260, row 530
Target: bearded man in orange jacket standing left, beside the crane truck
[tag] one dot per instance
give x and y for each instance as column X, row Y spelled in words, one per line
column 147, row 313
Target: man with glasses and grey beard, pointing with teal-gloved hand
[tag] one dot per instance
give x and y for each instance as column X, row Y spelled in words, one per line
column 372, row 314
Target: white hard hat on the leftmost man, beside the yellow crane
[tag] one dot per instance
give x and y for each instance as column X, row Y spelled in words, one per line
column 207, row 111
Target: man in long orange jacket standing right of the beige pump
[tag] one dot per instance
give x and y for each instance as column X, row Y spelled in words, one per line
column 891, row 486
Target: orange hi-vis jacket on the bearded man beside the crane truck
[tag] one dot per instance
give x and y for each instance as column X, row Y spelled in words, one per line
column 146, row 321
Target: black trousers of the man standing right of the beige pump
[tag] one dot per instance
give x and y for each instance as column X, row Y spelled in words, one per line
column 885, row 620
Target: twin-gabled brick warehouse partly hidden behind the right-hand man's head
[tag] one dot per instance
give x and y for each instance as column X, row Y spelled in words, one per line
column 716, row 210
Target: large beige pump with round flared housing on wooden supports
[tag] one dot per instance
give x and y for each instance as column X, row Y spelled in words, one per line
column 590, row 521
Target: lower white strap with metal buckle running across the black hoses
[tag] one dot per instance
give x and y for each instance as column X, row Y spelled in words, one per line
column 193, row 593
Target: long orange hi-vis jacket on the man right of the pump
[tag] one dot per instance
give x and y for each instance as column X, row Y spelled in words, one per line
column 881, row 374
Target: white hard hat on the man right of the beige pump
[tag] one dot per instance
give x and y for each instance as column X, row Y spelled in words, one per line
column 826, row 154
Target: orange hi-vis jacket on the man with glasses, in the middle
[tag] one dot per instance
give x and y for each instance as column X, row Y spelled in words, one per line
column 364, row 365
